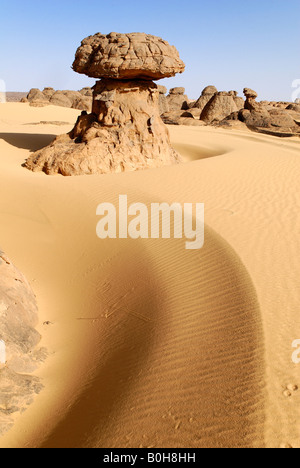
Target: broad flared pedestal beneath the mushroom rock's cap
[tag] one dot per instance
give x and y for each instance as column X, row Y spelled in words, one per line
column 124, row 133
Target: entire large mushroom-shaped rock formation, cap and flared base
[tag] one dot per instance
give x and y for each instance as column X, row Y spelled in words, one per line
column 124, row 132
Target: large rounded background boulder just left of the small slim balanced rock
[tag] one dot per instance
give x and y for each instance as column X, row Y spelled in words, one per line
column 220, row 106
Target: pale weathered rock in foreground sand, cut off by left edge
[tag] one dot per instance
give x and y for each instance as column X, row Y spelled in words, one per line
column 18, row 319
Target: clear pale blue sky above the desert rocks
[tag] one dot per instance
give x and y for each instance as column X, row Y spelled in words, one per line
column 229, row 43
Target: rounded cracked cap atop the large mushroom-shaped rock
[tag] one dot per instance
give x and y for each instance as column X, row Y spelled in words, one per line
column 127, row 56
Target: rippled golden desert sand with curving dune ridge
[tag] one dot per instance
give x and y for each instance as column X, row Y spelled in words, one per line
column 151, row 345
